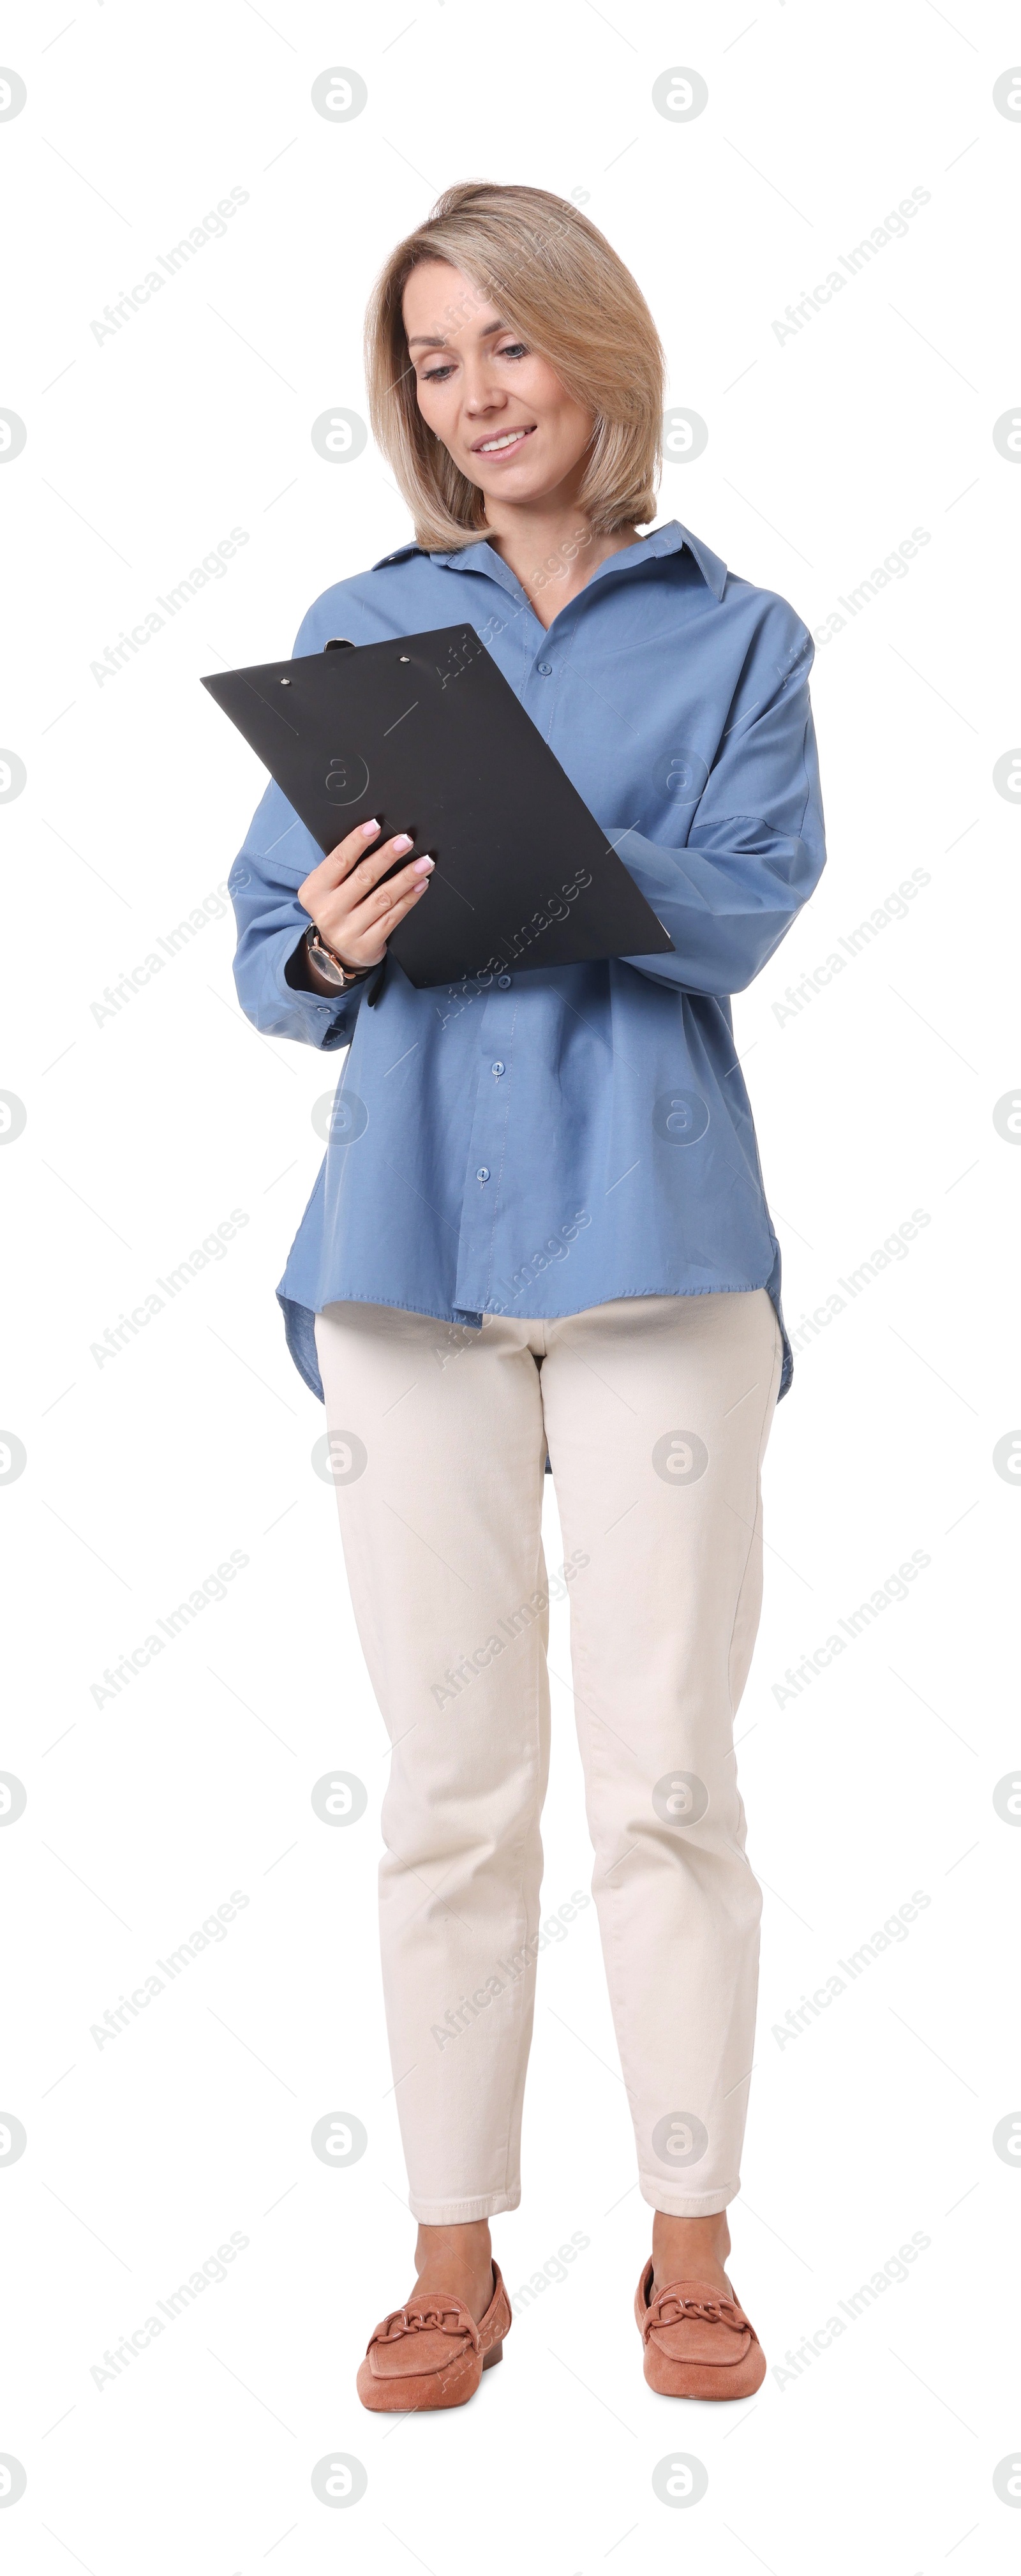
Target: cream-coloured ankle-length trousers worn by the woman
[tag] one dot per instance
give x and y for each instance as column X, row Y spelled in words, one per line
column 656, row 1416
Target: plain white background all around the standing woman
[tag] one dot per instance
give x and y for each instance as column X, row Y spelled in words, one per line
column 146, row 1130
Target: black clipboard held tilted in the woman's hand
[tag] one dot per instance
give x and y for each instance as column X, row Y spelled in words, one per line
column 429, row 735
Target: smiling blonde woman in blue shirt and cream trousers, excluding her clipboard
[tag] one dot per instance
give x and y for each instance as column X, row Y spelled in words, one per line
column 543, row 1227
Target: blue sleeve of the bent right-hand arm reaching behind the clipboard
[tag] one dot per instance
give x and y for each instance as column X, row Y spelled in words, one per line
column 757, row 844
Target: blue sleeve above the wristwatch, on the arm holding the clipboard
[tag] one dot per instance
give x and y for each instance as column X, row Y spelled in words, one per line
column 269, row 869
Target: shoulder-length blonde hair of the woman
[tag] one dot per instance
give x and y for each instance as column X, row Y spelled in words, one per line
column 561, row 285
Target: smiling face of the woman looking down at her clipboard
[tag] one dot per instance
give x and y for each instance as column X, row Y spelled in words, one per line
column 499, row 408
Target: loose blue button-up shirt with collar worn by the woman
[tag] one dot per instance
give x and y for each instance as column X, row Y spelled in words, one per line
column 548, row 1140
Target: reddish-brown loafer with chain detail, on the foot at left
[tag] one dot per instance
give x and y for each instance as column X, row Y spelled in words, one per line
column 432, row 2353
